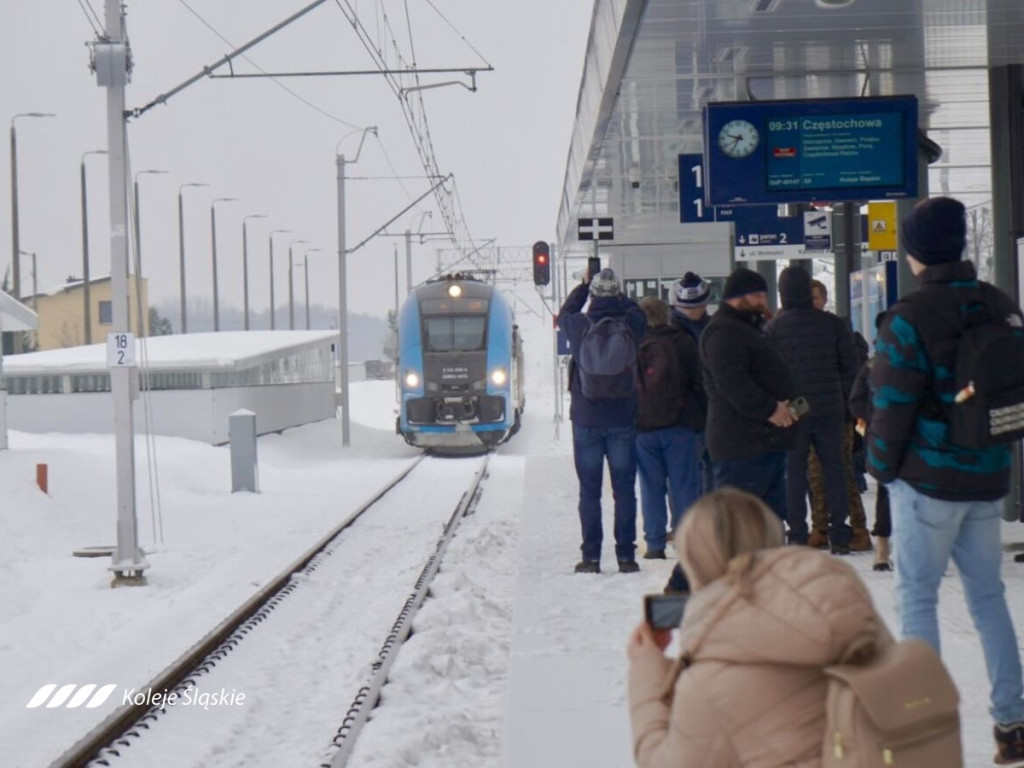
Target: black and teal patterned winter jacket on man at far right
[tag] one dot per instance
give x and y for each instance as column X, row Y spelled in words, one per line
column 913, row 385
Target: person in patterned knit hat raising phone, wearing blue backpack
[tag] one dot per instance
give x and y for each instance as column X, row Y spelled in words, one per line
column 604, row 343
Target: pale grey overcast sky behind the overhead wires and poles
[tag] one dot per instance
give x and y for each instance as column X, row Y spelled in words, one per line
column 506, row 144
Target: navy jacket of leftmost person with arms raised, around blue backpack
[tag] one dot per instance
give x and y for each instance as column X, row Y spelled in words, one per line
column 586, row 413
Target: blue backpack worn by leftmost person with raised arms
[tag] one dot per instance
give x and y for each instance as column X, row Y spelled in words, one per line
column 608, row 361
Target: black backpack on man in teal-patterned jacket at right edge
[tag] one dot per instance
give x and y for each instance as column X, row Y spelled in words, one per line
column 989, row 404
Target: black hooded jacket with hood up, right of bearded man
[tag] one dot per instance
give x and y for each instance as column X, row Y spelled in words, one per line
column 819, row 349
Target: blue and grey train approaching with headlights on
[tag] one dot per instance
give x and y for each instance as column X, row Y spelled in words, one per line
column 460, row 367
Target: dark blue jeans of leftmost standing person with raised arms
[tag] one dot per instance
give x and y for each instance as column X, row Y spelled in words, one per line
column 591, row 446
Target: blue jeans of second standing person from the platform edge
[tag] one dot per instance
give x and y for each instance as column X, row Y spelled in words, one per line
column 670, row 464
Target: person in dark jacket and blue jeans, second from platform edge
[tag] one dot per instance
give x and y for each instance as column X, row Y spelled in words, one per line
column 670, row 410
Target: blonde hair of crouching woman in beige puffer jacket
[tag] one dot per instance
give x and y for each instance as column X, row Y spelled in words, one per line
column 719, row 529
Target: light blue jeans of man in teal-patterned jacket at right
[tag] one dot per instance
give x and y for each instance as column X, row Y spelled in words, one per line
column 926, row 533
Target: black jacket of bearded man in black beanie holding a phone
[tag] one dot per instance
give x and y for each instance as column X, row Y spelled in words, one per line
column 745, row 377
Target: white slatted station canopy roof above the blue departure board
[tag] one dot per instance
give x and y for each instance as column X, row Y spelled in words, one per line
column 653, row 65
